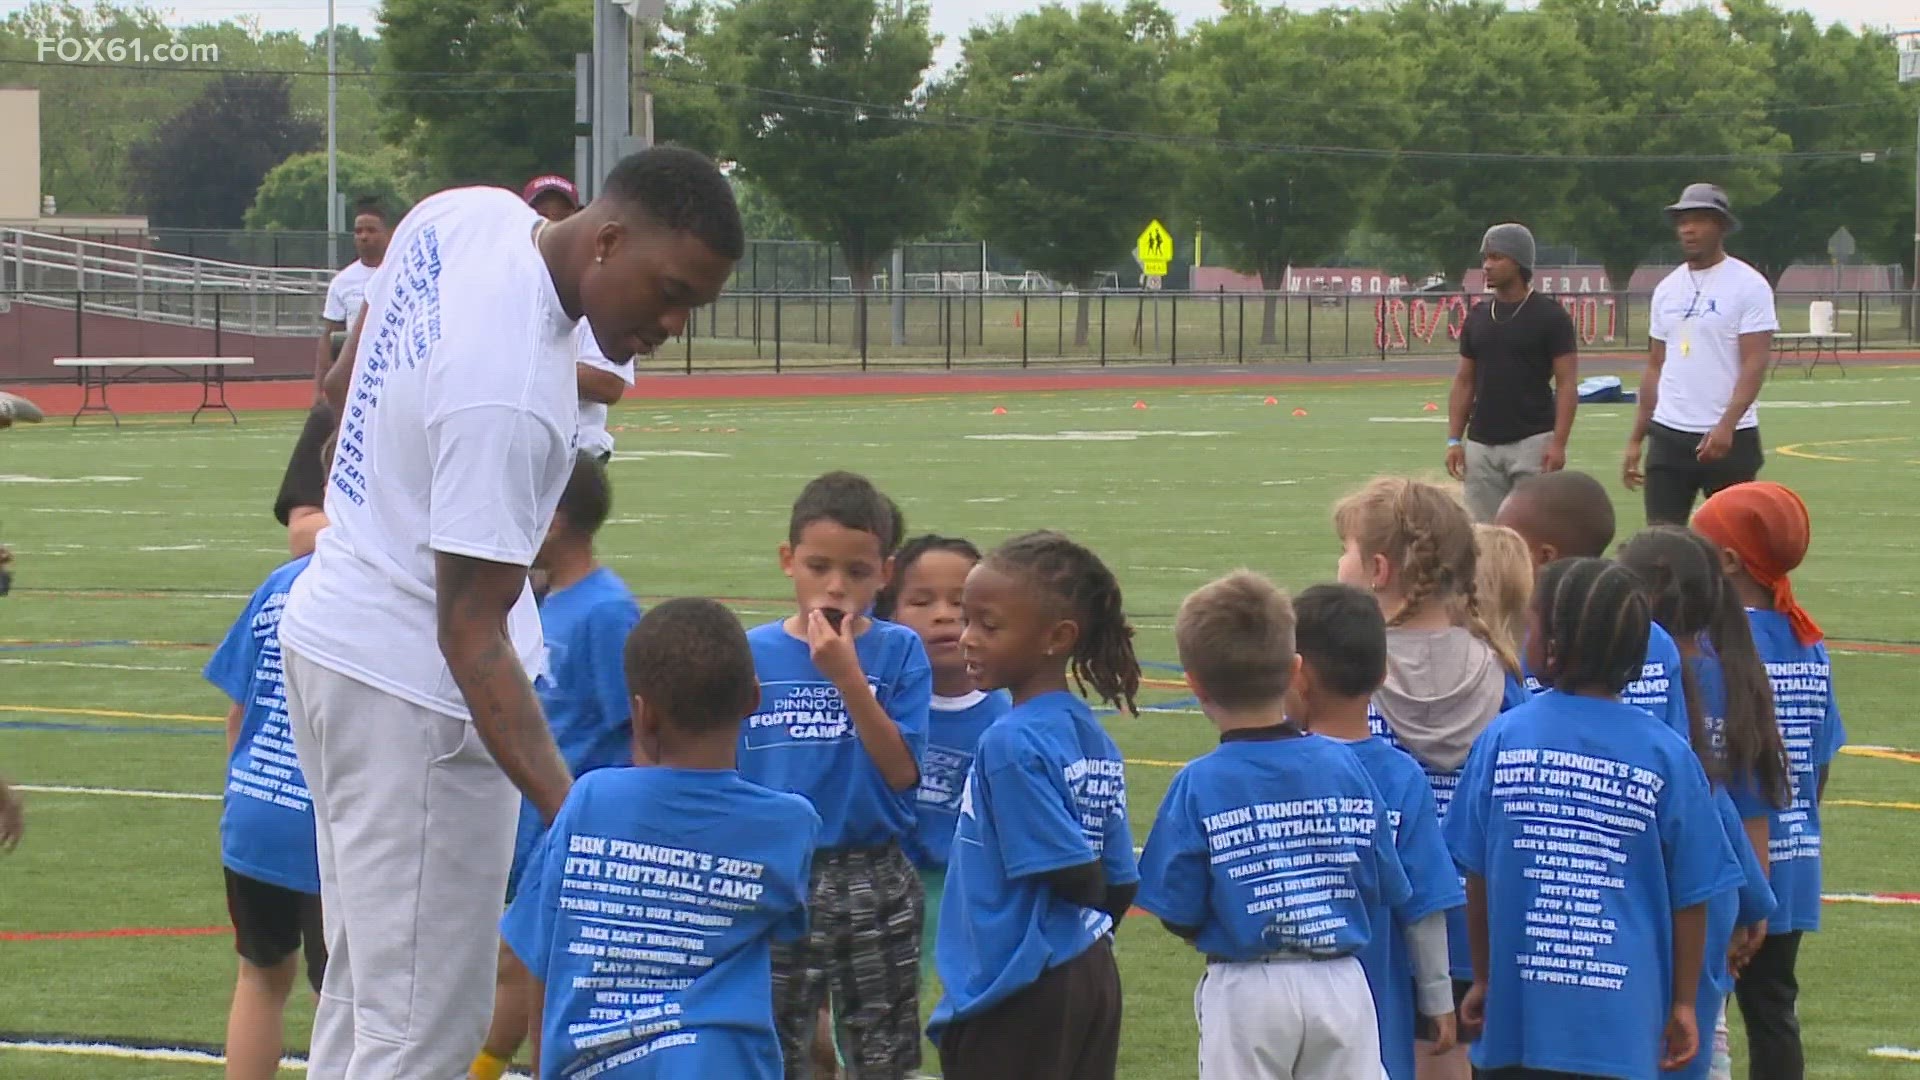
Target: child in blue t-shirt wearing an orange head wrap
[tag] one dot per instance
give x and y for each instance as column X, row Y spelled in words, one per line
column 1764, row 533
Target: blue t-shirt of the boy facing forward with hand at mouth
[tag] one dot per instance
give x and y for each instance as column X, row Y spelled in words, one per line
column 802, row 739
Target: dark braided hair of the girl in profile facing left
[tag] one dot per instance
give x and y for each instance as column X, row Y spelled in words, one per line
column 1074, row 577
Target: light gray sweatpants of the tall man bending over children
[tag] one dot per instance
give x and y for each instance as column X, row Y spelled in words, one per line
column 416, row 837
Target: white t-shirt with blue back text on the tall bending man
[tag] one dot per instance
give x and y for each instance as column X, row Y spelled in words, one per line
column 458, row 437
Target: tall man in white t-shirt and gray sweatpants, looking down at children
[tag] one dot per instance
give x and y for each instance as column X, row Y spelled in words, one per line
column 412, row 639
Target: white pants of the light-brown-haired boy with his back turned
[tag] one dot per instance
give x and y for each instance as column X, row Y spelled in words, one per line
column 1287, row 1021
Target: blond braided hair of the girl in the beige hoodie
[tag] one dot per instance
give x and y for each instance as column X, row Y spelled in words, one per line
column 1428, row 537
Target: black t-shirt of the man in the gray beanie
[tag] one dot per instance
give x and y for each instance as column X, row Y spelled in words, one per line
column 1514, row 366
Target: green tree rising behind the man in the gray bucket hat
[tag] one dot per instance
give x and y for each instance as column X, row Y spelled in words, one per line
column 1677, row 86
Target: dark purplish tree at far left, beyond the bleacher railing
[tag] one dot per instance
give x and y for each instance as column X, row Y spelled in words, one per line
column 204, row 164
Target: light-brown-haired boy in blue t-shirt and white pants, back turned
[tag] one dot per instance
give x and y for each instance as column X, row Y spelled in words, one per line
column 1276, row 856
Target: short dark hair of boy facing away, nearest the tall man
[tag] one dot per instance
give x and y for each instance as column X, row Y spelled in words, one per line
column 690, row 660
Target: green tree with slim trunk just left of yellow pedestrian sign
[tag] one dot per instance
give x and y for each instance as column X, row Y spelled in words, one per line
column 1063, row 203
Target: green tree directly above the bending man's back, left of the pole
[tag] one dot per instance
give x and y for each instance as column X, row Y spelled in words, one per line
column 510, row 110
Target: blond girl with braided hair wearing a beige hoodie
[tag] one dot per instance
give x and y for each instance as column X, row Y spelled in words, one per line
column 1412, row 547
